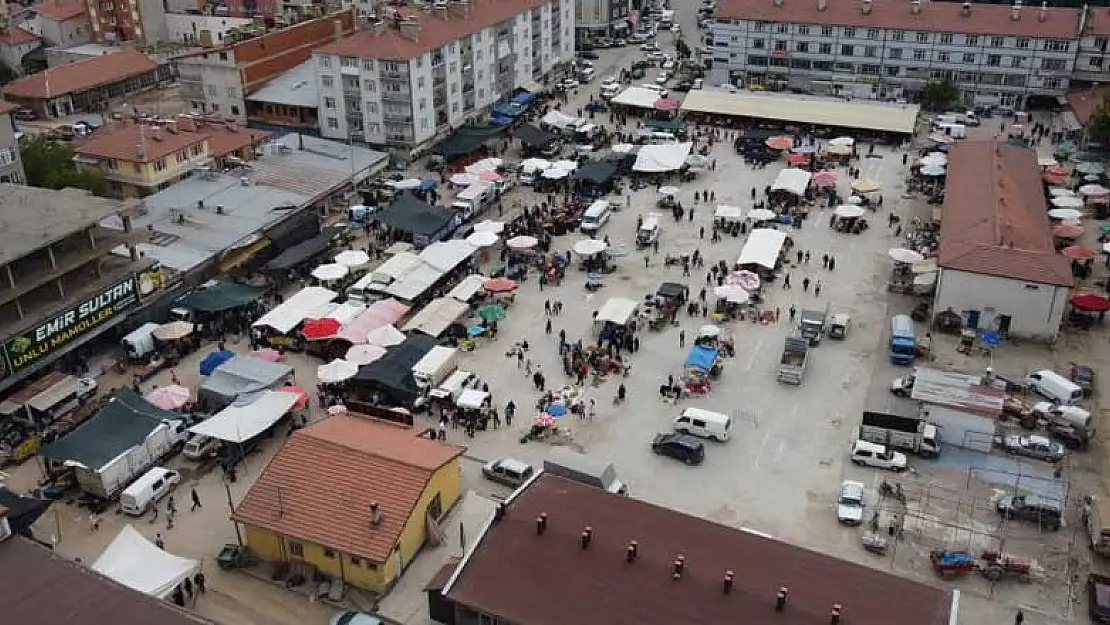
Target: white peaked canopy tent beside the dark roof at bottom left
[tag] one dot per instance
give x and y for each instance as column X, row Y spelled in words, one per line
column 142, row 566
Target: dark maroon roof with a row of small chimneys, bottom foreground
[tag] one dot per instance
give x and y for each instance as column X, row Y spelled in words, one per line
column 599, row 587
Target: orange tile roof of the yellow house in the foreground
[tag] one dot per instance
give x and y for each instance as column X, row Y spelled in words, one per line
column 321, row 485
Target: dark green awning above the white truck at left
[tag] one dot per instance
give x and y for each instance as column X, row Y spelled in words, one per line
column 125, row 422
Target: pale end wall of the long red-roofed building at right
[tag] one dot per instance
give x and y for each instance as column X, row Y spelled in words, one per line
column 1036, row 310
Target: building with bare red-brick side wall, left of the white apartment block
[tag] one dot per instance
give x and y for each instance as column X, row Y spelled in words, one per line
column 218, row 80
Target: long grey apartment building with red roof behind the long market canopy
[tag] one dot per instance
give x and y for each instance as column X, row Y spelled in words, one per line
column 891, row 49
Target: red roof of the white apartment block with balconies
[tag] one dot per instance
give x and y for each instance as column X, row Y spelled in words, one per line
column 435, row 32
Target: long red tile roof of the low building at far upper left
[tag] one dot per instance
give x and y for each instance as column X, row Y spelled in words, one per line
column 82, row 76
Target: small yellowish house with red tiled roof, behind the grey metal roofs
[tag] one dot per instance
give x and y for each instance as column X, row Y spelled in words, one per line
column 140, row 159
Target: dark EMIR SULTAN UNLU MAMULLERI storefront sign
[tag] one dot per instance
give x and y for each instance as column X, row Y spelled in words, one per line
column 36, row 344
